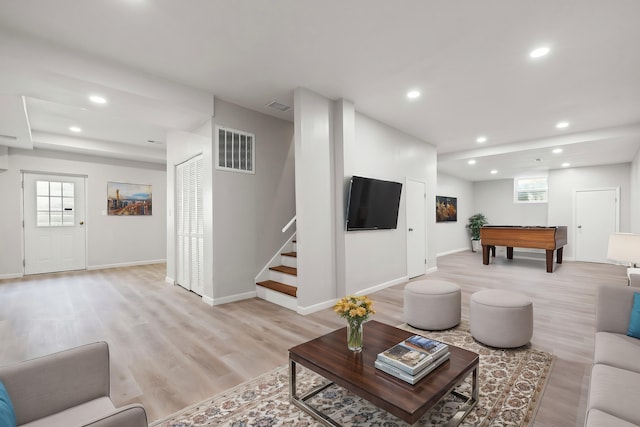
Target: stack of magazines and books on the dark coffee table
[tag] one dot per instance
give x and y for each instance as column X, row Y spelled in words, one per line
column 411, row 358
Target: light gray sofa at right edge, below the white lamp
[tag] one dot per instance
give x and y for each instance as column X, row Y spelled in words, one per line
column 614, row 390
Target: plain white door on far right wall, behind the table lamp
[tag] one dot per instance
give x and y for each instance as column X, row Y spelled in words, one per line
column 597, row 213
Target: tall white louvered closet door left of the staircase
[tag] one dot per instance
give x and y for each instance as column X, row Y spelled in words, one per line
column 189, row 225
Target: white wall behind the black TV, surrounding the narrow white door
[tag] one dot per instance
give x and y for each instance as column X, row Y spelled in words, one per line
column 379, row 257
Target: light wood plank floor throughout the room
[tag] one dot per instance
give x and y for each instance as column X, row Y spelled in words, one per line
column 170, row 350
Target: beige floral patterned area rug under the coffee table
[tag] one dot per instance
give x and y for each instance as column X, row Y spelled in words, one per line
column 511, row 386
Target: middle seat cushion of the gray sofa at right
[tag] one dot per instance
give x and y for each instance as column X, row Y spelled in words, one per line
column 615, row 391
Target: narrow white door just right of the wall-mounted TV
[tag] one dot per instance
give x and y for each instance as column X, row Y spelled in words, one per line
column 416, row 228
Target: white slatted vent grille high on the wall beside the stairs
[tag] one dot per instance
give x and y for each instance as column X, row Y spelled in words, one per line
column 236, row 150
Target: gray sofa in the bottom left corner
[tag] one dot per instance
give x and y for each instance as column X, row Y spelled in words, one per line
column 67, row 389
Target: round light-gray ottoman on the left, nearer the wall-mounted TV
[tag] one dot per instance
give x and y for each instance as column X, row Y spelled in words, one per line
column 432, row 304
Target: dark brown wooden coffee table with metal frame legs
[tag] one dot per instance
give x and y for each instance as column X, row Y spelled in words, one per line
column 328, row 356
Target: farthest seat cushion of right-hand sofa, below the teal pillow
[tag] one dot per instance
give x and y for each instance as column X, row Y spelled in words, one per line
column 617, row 350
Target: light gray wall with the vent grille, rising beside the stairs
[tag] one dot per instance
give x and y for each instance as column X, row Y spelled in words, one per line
column 249, row 210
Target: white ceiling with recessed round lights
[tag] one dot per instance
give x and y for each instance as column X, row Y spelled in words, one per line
column 158, row 61
